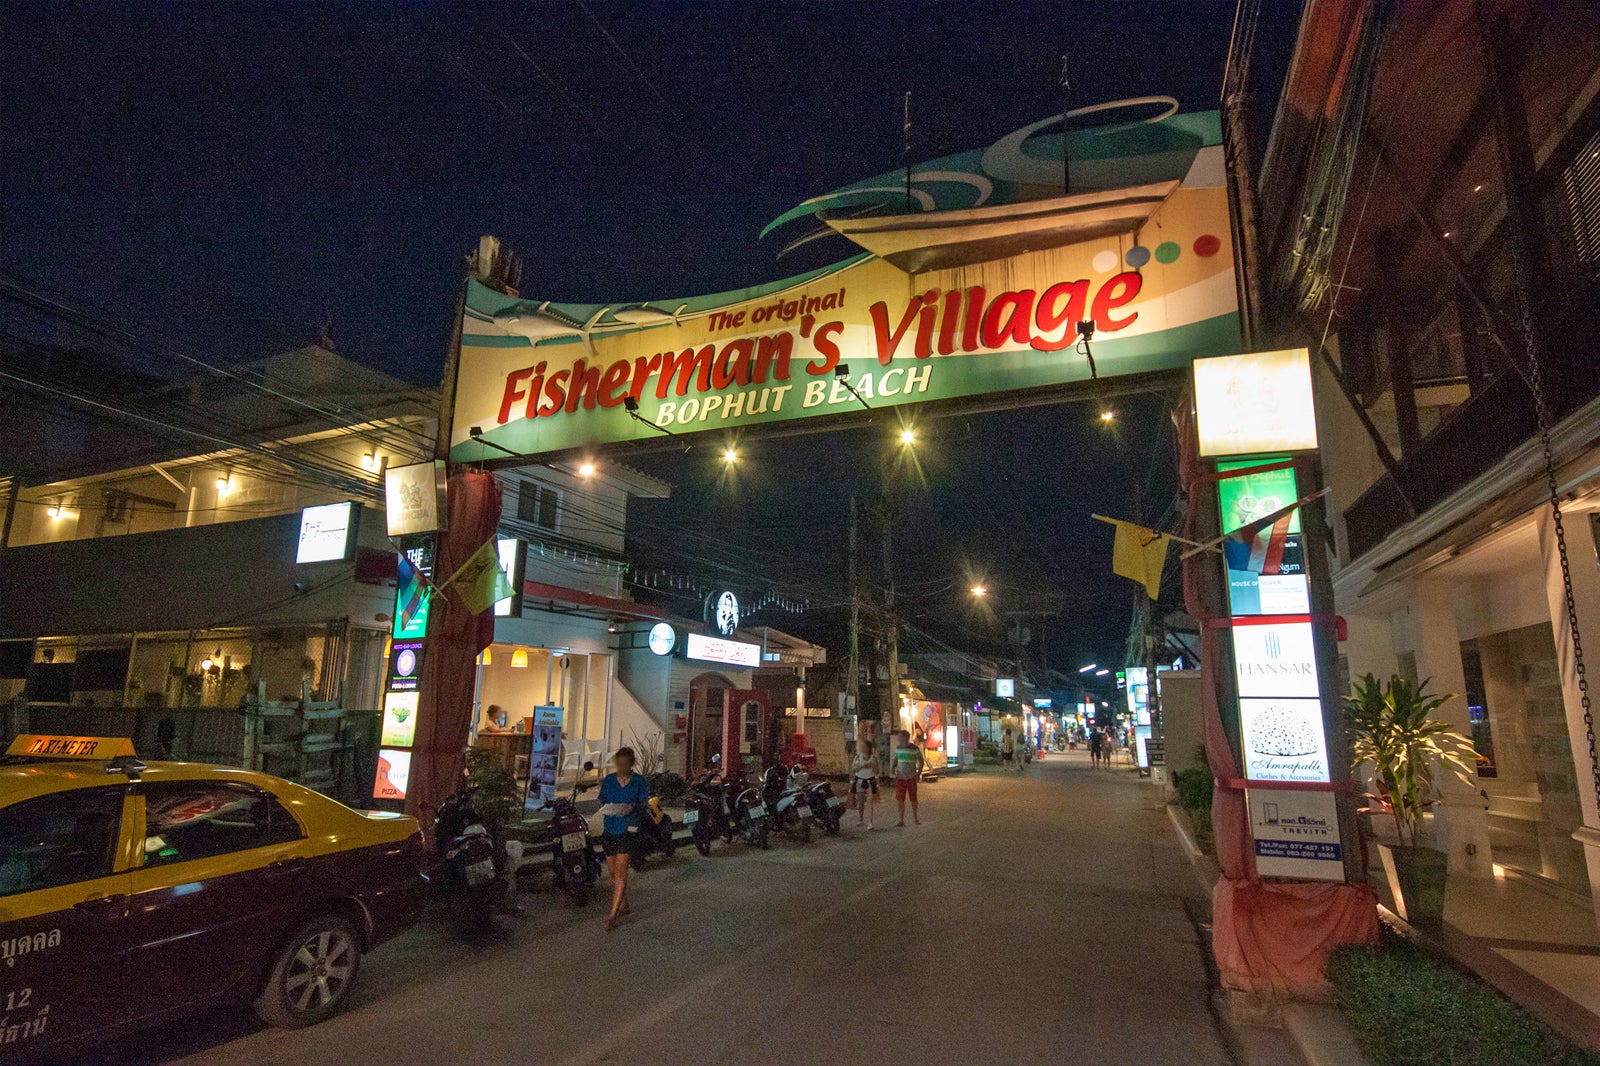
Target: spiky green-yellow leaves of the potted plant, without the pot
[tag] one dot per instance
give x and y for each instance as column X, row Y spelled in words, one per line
column 1394, row 734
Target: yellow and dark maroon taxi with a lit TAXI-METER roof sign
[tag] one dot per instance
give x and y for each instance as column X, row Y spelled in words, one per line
column 135, row 892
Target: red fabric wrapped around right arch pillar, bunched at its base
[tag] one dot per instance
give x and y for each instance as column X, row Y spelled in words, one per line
column 1270, row 939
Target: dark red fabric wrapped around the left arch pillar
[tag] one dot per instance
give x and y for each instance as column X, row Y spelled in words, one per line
column 454, row 643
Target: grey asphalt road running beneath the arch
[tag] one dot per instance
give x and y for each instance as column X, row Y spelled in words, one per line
column 1031, row 918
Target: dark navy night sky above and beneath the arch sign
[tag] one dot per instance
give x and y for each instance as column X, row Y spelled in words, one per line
column 234, row 178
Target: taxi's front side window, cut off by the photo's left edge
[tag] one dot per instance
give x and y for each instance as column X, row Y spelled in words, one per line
column 60, row 840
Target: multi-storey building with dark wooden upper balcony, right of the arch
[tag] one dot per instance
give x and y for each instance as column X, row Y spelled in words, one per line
column 1426, row 218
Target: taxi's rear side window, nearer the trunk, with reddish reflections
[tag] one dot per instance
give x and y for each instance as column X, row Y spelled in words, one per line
column 202, row 819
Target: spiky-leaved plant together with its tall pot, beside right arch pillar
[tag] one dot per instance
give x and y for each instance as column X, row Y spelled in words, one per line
column 1404, row 748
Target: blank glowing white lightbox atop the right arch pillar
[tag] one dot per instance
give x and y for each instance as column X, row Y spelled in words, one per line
column 1255, row 404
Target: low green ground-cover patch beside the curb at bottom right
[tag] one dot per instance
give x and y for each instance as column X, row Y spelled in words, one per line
column 1410, row 1009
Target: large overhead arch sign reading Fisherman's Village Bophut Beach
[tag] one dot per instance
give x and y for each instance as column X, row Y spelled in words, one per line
column 983, row 300
